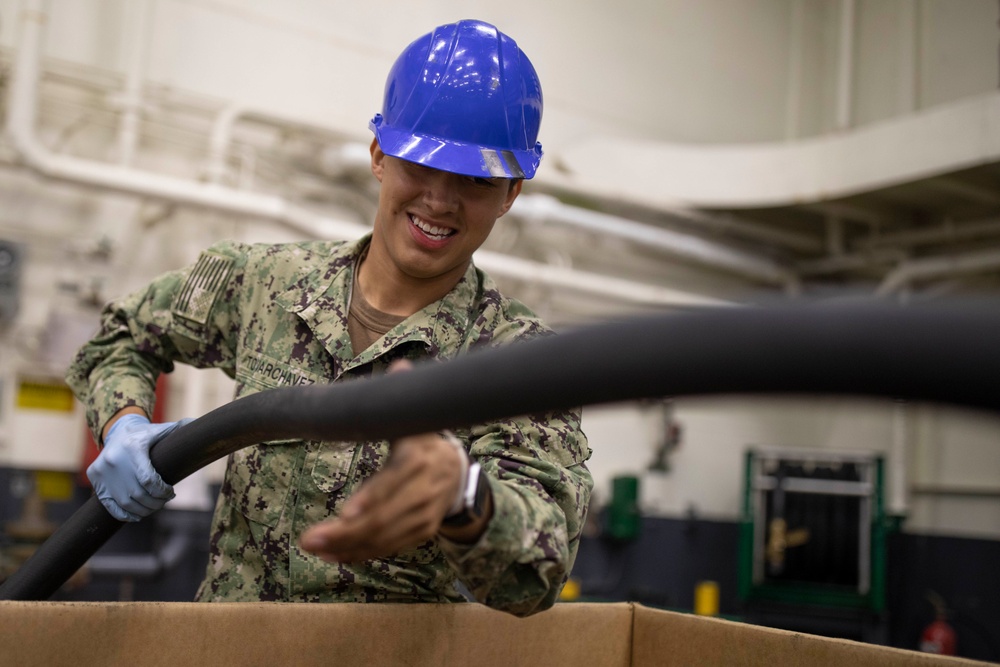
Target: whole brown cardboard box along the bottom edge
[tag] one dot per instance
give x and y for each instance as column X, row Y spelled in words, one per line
column 273, row 634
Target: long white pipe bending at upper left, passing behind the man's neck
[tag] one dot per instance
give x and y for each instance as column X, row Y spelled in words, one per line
column 20, row 130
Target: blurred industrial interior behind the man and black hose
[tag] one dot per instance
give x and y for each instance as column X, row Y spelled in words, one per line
column 709, row 153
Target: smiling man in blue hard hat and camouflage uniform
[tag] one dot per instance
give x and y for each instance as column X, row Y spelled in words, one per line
column 498, row 507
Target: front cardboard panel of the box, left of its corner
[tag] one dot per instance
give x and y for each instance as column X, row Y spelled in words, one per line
column 172, row 634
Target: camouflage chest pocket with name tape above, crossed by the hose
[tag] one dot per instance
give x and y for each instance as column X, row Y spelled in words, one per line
column 259, row 477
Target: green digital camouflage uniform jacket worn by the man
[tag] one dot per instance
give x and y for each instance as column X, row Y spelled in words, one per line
column 276, row 315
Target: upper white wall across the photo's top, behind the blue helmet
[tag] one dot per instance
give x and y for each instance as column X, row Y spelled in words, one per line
column 711, row 71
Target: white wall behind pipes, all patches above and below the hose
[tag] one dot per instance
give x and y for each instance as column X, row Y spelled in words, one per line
column 681, row 71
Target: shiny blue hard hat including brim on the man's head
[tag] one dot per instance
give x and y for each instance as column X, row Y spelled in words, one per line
column 464, row 99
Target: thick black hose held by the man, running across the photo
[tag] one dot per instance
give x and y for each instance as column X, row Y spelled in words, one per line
column 943, row 353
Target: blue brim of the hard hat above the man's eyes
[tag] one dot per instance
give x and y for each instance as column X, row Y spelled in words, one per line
column 454, row 156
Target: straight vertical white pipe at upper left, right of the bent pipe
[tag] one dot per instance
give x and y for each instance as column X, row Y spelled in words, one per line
column 136, row 49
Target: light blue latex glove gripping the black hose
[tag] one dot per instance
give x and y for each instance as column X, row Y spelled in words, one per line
column 123, row 476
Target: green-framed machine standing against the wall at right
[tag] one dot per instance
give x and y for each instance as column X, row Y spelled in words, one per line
column 813, row 542
